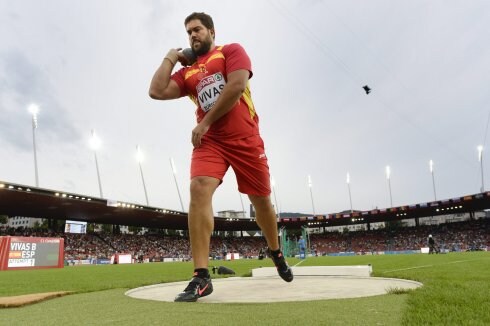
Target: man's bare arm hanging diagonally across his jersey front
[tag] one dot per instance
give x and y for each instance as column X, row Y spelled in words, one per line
column 233, row 90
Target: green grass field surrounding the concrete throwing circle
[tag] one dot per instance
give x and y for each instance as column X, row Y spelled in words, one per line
column 456, row 291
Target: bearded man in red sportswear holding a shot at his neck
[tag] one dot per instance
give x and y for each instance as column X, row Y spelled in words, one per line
column 226, row 134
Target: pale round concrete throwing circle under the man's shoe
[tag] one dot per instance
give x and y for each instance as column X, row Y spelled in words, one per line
column 274, row 289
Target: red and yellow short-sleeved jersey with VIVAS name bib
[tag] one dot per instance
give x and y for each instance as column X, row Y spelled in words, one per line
column 204, row 81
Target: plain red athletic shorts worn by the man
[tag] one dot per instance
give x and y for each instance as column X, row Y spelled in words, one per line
column 246, row 156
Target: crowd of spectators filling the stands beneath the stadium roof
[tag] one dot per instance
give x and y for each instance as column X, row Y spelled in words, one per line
column 459, row 236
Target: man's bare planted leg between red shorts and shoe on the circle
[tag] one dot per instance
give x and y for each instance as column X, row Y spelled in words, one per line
column 201, row 219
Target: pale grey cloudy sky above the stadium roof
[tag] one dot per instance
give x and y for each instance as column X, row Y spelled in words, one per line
column 88, row 65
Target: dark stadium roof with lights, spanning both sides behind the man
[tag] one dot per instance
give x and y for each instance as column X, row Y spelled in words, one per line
column 21, row 200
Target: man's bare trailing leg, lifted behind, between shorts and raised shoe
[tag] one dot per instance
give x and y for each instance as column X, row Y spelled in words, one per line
column 266, row 219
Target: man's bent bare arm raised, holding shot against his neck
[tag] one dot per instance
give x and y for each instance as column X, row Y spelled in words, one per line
column 162, row 87
